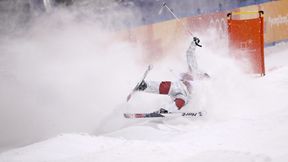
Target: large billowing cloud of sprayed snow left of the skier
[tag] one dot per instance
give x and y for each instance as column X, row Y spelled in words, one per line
column 64, row 73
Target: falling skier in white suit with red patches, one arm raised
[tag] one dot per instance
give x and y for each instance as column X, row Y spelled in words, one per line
column 179, row 91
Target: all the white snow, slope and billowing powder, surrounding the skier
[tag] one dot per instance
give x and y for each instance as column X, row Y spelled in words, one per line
column 63, row 90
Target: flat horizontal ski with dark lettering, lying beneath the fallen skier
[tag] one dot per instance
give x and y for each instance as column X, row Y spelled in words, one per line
column 164, row 115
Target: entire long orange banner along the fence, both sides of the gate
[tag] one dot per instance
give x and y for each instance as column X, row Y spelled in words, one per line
column 159, row 38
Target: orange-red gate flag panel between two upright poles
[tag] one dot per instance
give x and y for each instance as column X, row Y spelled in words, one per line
column 248, row 36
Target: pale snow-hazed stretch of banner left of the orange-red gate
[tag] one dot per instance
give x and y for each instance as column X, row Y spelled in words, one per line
column 158, row 39
